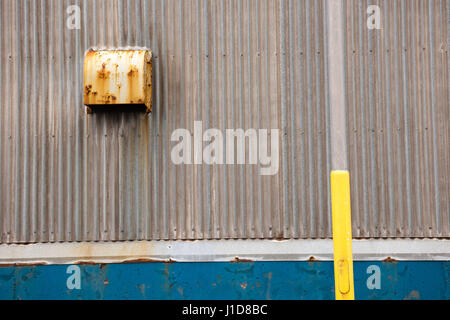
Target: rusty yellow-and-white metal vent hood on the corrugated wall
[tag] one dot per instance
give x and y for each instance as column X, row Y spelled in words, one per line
column 117, row 77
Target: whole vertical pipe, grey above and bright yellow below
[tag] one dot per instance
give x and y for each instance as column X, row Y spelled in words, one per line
column 340, row 181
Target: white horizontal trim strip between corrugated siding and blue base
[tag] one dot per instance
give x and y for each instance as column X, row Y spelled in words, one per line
column 219, row 250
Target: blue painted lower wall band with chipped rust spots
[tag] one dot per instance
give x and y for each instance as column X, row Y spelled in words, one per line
column 224, row 280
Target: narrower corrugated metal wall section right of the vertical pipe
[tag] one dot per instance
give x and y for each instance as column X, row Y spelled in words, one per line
column 399, row 118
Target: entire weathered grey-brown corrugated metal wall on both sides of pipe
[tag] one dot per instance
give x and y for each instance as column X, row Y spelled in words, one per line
column 69, row 176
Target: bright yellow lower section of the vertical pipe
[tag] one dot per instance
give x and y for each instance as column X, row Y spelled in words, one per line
column 342, row 235
